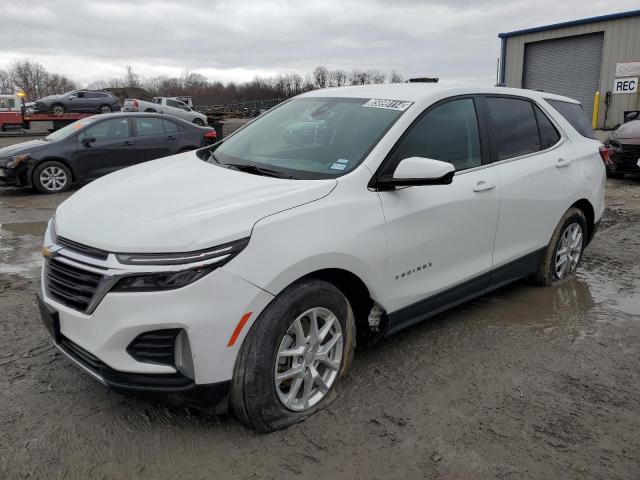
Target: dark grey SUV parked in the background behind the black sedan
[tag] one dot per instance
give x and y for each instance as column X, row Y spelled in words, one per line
column 92, row 101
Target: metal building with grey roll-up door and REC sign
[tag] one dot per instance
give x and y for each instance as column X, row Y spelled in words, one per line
column 578, row 58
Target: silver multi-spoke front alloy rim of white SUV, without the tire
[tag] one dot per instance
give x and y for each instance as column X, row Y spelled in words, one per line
column 308, row 359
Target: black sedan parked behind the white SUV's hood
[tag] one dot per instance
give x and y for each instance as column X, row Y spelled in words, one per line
column 95, row 146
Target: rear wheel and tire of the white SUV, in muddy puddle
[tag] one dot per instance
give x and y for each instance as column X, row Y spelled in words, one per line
column 564, row 253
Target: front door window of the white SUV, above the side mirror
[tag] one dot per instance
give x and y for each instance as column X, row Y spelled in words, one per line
column 448, row 132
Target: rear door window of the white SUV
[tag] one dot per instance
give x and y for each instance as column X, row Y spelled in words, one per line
column 514, row 127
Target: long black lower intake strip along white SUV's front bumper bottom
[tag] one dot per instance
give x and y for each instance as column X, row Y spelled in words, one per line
column 116, row 378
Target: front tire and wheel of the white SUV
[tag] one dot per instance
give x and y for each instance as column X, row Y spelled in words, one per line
column 294, row 358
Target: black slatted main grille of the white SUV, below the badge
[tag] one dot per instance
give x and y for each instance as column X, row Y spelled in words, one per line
column 69, row 285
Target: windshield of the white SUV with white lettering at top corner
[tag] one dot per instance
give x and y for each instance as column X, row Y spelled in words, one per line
column 311, row 137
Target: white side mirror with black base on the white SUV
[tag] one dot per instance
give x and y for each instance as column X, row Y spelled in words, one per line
column 415, row 171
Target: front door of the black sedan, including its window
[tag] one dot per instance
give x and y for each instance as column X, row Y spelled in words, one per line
column 104, row 147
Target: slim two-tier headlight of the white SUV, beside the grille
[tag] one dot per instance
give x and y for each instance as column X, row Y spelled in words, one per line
column 207, row 260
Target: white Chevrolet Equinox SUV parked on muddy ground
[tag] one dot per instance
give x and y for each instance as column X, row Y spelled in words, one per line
column 238, row 275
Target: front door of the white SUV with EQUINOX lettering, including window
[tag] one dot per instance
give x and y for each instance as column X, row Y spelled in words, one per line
column 440, row 237
